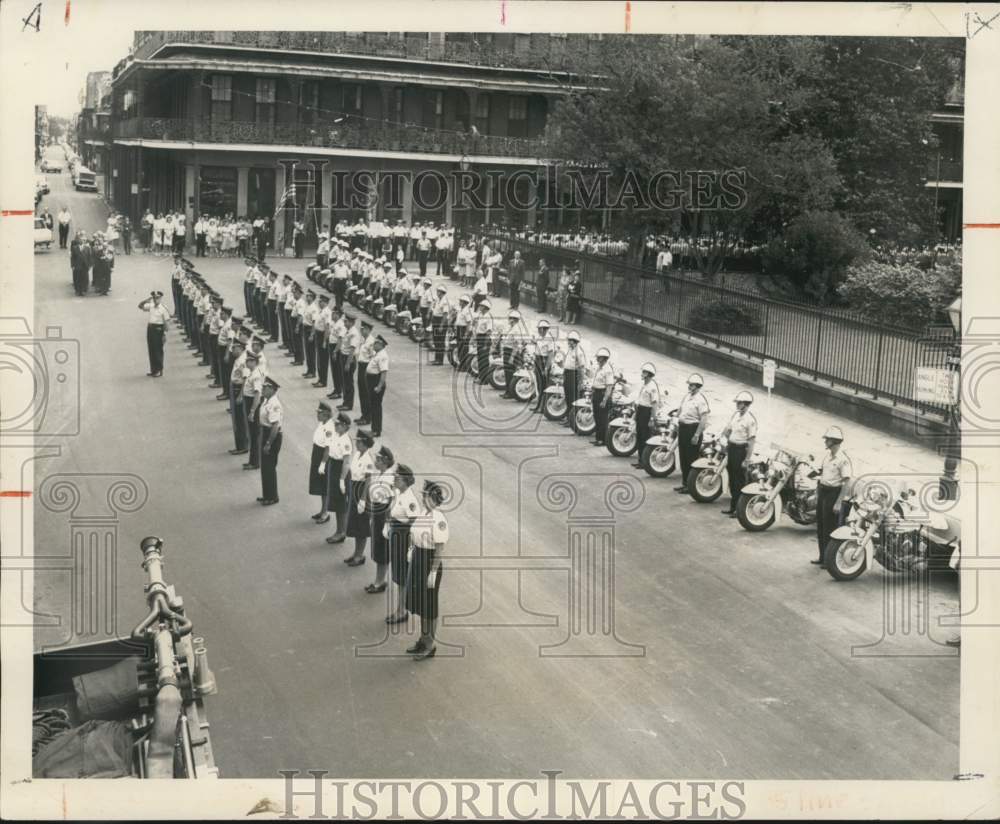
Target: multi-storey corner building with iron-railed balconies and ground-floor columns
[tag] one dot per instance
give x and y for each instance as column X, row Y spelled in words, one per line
column 220, row 123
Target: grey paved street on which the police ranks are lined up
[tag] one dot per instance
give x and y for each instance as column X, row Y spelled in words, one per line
column 746, row 667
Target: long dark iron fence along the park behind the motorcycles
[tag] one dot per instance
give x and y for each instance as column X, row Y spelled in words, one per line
column 827, row 345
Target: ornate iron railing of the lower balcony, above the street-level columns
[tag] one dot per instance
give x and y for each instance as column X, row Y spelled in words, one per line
column 390, row 137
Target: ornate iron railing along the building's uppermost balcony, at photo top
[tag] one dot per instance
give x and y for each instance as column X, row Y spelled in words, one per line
column 554, row 54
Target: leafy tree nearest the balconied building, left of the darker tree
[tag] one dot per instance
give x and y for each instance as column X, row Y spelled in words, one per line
column 662, row 109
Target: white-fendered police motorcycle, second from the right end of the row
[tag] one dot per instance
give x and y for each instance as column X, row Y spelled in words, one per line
column 782, row 482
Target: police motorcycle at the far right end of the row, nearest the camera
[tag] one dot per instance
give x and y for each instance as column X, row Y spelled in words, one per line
column 893, row 530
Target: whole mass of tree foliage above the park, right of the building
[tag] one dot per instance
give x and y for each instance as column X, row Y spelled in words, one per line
column 802, row 124
